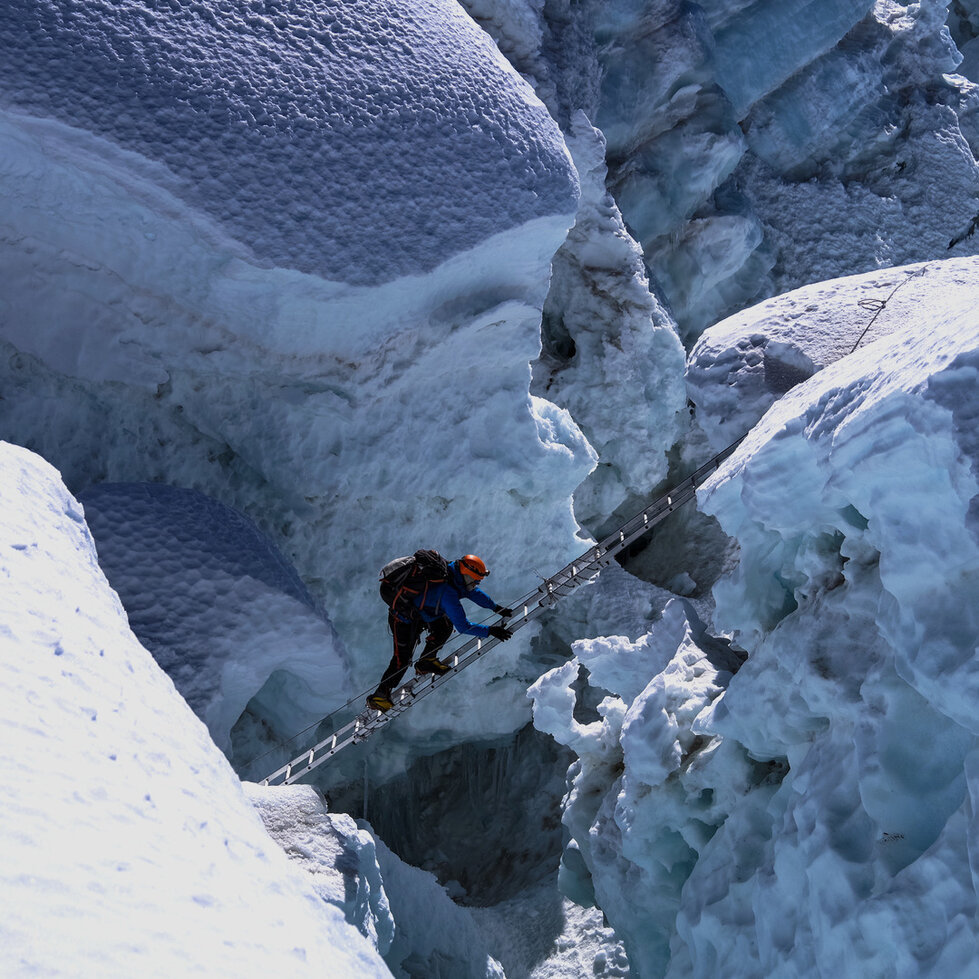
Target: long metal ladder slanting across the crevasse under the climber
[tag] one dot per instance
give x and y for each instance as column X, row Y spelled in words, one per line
column 530, row 607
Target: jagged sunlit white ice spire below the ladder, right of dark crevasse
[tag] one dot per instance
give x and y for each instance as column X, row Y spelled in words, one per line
column 642, row 797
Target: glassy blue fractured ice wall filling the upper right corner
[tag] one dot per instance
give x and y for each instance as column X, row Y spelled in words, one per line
column 757, row 147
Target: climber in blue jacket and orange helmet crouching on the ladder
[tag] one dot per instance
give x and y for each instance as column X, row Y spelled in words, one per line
column 423, row 593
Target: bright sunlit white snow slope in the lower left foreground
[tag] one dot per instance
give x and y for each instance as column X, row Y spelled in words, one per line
column 128, row 846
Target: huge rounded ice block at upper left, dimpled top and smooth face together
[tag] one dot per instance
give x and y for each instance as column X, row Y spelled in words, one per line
column 332, row 333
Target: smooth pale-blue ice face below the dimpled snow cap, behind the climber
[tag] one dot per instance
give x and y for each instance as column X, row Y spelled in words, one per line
column 351, row 423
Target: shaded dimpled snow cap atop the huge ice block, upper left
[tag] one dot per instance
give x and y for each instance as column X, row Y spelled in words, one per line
column 358, row 140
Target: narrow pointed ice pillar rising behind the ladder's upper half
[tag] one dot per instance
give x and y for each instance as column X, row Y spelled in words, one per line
column 610, row 351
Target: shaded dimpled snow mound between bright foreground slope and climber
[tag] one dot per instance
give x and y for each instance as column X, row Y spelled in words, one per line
column 218, row 606
